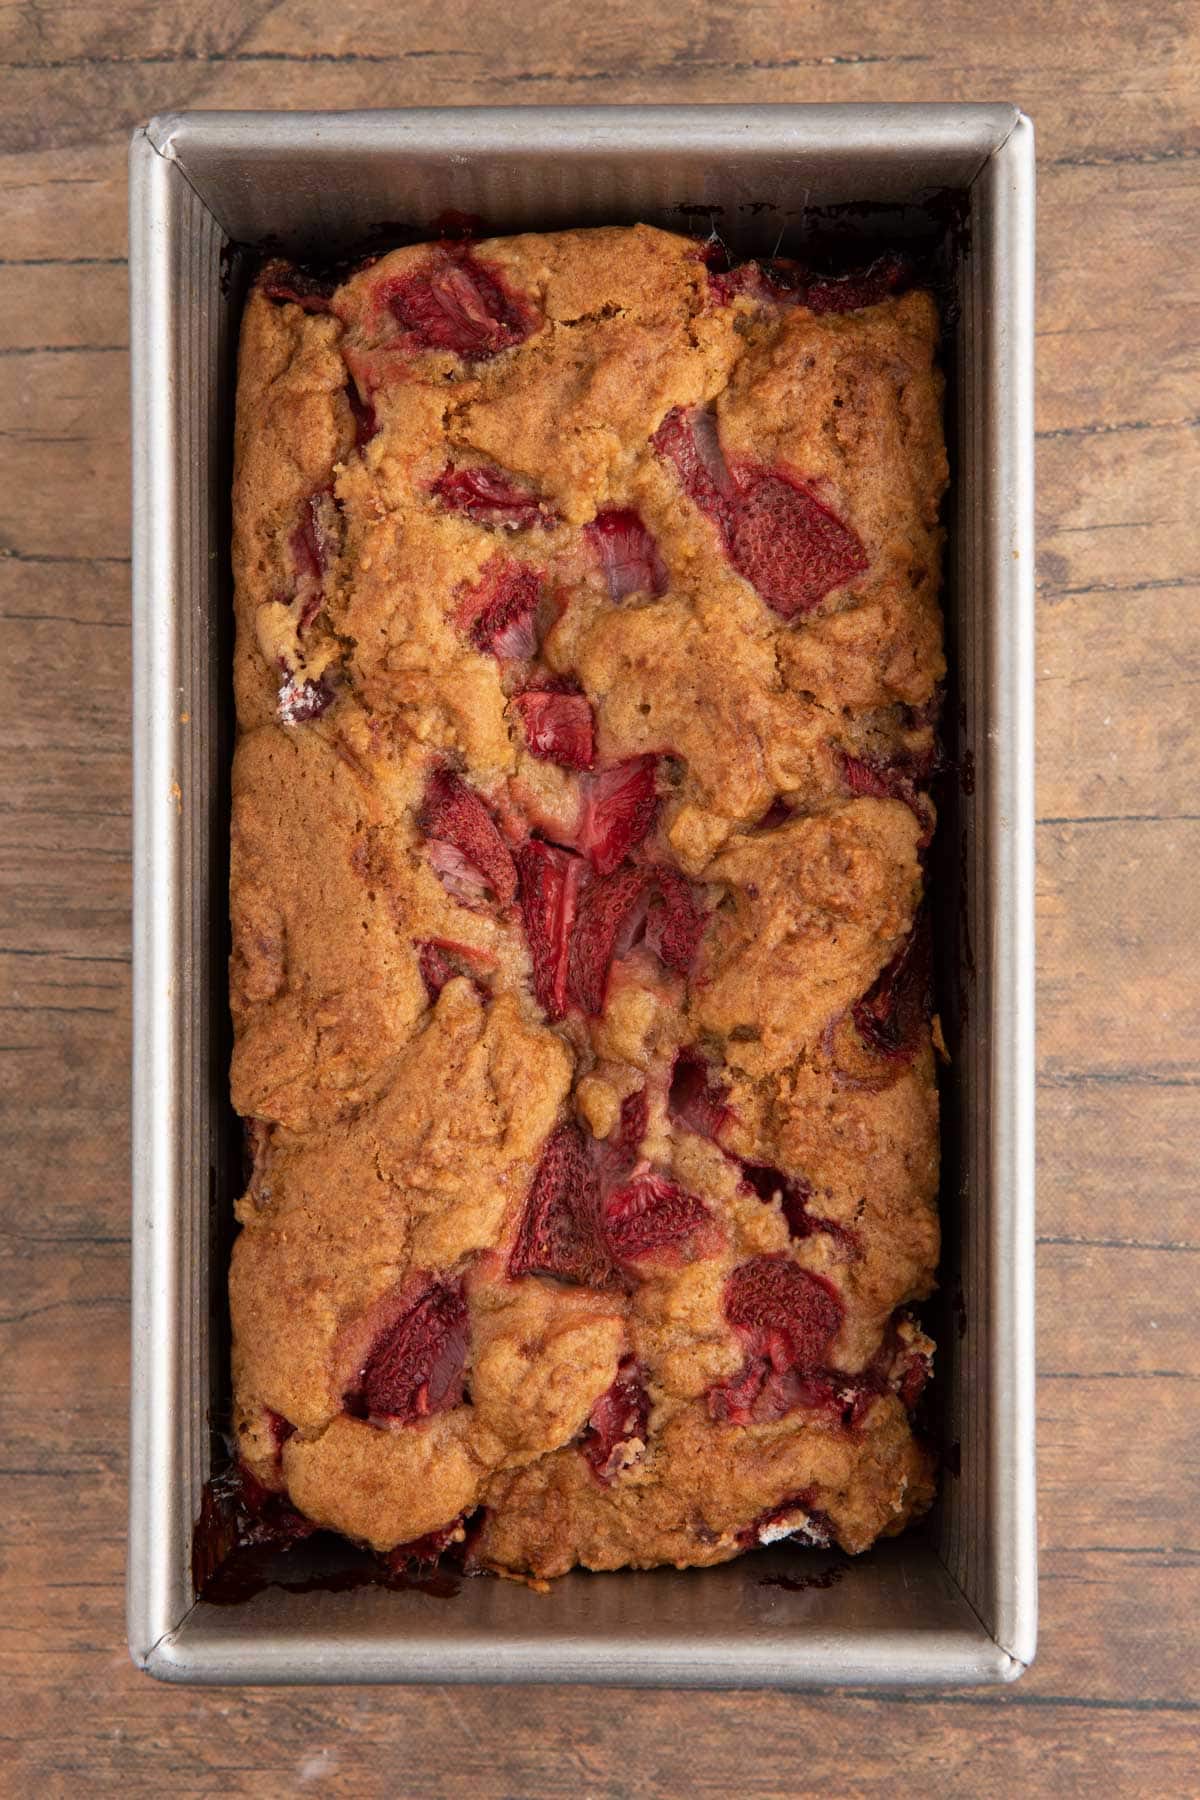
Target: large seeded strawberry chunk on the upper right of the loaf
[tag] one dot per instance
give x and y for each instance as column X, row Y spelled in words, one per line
column 789, row 546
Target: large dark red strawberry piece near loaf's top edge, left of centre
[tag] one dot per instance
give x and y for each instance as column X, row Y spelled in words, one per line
column 458, row 303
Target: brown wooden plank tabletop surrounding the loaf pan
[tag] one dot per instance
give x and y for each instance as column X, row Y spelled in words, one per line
column 1113, row 1704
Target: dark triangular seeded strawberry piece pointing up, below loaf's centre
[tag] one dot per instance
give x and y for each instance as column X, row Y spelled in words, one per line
column 560, row 1230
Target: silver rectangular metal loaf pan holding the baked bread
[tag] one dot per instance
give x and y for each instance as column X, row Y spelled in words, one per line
column 953, row 1603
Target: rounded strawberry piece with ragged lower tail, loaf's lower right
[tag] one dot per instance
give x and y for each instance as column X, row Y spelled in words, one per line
column 787, row 1320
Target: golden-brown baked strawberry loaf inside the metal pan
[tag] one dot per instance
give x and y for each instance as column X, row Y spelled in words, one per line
column 587, row 678
